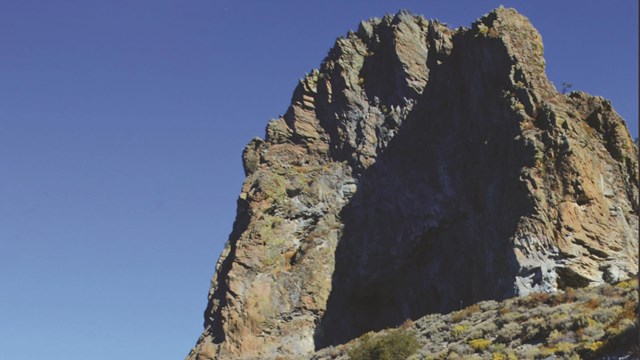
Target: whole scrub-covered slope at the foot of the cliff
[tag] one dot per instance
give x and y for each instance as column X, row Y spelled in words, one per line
column 586, row 323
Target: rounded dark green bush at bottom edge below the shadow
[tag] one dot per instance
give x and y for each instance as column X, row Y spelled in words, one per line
column 397, row 344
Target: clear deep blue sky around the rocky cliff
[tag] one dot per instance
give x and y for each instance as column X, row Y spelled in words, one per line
column 121, row 128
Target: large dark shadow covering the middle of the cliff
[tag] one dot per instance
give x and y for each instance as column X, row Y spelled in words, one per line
column 430, row 226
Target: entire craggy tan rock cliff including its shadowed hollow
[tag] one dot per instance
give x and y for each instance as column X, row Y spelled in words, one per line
column 420, row 170
